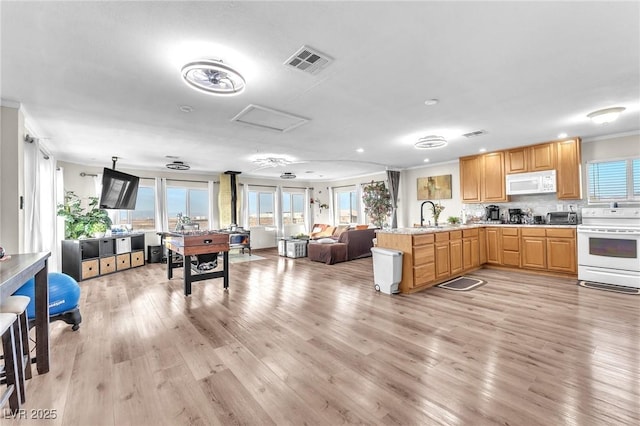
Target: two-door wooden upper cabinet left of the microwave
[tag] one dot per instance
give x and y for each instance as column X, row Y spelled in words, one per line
column 482, row 178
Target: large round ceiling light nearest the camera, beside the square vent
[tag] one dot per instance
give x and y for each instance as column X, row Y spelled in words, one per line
column 214, row 77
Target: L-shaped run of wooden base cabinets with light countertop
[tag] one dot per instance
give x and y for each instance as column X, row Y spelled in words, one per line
column 432, row 255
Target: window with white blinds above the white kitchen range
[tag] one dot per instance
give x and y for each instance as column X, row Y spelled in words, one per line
column 617, row 180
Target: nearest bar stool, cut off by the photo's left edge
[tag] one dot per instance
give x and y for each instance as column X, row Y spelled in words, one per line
column 11, row 355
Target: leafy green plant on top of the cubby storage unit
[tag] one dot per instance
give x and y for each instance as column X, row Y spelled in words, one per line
column 80, row 222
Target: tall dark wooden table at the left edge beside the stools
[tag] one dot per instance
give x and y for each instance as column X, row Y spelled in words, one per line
column 15, row 270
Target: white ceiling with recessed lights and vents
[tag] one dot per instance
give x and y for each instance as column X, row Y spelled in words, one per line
column 102, row 79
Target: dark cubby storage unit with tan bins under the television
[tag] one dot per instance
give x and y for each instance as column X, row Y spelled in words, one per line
column 93, row 257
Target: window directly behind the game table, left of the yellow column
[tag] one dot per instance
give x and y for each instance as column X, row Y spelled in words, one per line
column 190, row 202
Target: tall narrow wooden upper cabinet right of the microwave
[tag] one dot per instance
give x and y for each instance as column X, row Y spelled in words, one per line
column 568, row 169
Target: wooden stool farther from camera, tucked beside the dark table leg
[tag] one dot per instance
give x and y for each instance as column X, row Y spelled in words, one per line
column 17, row 305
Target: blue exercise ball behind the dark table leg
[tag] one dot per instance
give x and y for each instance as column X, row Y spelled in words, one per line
column 64, row 294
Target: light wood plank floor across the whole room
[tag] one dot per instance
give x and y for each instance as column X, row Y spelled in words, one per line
column 300, row 342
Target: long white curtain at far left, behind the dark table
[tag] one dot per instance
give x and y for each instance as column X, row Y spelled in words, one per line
column 40, row 203
